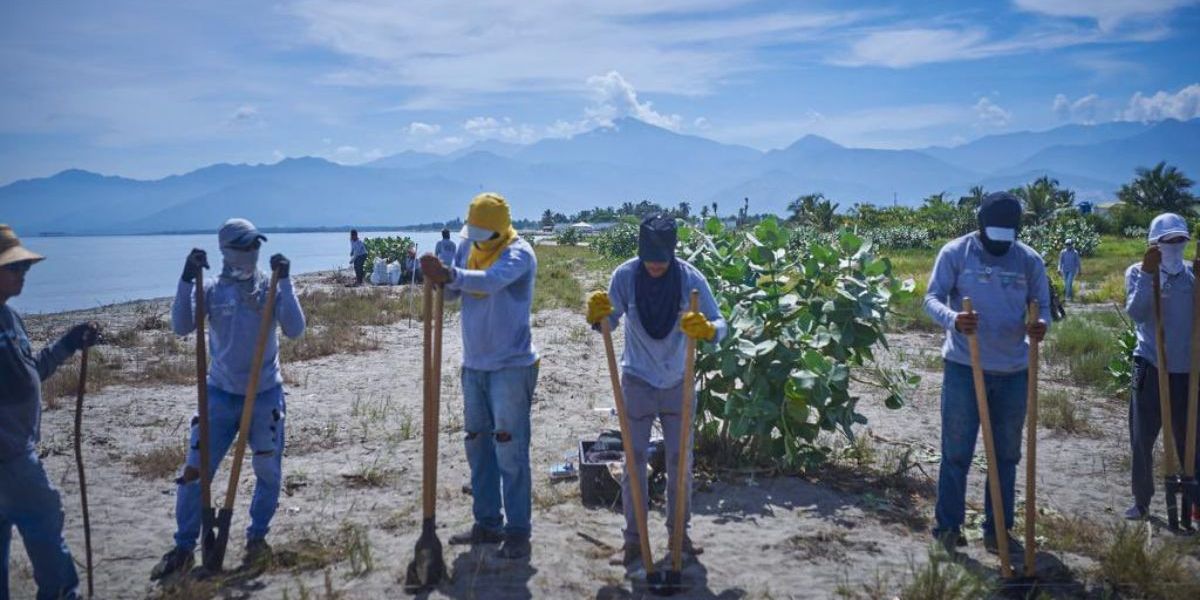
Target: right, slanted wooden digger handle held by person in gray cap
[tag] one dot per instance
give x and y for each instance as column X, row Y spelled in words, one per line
column 215, row 560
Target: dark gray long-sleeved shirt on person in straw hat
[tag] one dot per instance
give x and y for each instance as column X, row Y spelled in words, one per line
column 22, row 374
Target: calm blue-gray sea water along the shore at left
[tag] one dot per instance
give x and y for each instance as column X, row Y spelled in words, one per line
column 88, row 272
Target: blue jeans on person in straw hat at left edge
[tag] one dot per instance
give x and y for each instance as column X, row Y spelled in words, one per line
column 33, row 506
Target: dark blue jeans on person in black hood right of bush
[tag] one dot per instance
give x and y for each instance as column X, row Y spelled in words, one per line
column 961, row 428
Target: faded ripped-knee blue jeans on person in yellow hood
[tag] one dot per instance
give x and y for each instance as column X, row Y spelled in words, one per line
column 497, row 424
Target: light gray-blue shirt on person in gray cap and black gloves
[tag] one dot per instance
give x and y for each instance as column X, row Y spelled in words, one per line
column 233, row 332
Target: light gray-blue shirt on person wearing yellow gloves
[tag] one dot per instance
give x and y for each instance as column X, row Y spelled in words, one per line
column 658, row 363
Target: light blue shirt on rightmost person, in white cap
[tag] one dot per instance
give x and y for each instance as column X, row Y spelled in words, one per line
column 1177, row 315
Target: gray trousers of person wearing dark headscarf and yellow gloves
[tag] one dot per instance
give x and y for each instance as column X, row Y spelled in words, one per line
column 644, row 404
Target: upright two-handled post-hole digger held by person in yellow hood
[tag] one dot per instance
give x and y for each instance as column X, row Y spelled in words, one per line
column 429, row 567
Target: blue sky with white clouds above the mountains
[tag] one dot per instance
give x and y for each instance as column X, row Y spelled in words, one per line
column 147, row 89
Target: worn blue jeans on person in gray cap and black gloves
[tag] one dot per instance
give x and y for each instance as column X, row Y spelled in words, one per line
column 267, row 445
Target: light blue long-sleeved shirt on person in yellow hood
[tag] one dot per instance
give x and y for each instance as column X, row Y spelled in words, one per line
column 497, row 304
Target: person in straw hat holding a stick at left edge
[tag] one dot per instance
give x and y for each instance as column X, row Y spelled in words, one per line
column 28, row 501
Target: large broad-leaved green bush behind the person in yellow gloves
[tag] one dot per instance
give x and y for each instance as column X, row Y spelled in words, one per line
column 803, row 325
